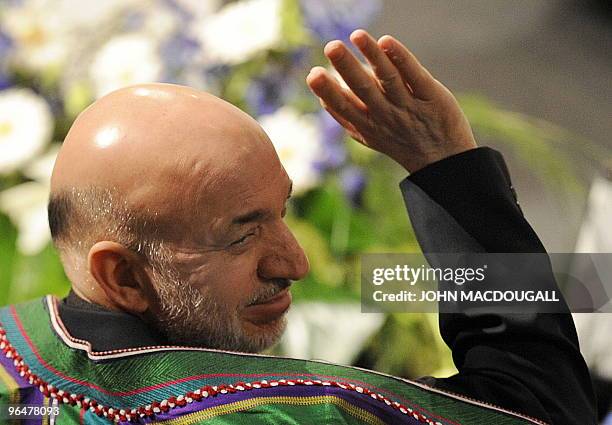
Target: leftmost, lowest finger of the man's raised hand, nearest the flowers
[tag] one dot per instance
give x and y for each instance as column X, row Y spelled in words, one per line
column 336, row 100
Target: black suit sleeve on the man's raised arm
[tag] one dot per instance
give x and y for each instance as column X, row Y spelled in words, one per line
column 529, row 363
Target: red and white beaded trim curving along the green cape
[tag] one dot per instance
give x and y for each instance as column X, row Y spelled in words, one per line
column 150, row 410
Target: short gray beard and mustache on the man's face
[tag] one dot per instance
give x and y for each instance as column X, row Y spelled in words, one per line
column 188, row 317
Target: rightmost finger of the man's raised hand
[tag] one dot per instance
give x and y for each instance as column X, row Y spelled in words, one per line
column 421, row 82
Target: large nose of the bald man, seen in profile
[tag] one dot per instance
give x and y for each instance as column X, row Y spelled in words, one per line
column 285, row 259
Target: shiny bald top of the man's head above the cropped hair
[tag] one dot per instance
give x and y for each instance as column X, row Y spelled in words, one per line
column 134, row 138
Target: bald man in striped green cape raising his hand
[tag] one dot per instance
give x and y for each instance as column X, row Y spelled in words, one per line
column 167, row 208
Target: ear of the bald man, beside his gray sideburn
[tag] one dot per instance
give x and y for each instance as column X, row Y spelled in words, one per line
column 121, row 274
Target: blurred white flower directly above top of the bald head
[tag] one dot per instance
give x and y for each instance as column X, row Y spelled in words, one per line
column 125, row 60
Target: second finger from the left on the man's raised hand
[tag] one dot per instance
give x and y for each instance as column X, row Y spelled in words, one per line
column 353, row 73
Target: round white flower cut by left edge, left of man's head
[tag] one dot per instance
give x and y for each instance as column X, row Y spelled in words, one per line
column 26, row 125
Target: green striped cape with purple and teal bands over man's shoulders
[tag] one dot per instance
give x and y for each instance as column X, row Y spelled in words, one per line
column 41, row 364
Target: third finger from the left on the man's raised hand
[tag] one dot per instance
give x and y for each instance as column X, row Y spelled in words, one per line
column 391, row 81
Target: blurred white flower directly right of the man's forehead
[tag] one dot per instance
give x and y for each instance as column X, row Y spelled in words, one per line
column 297, row 141
